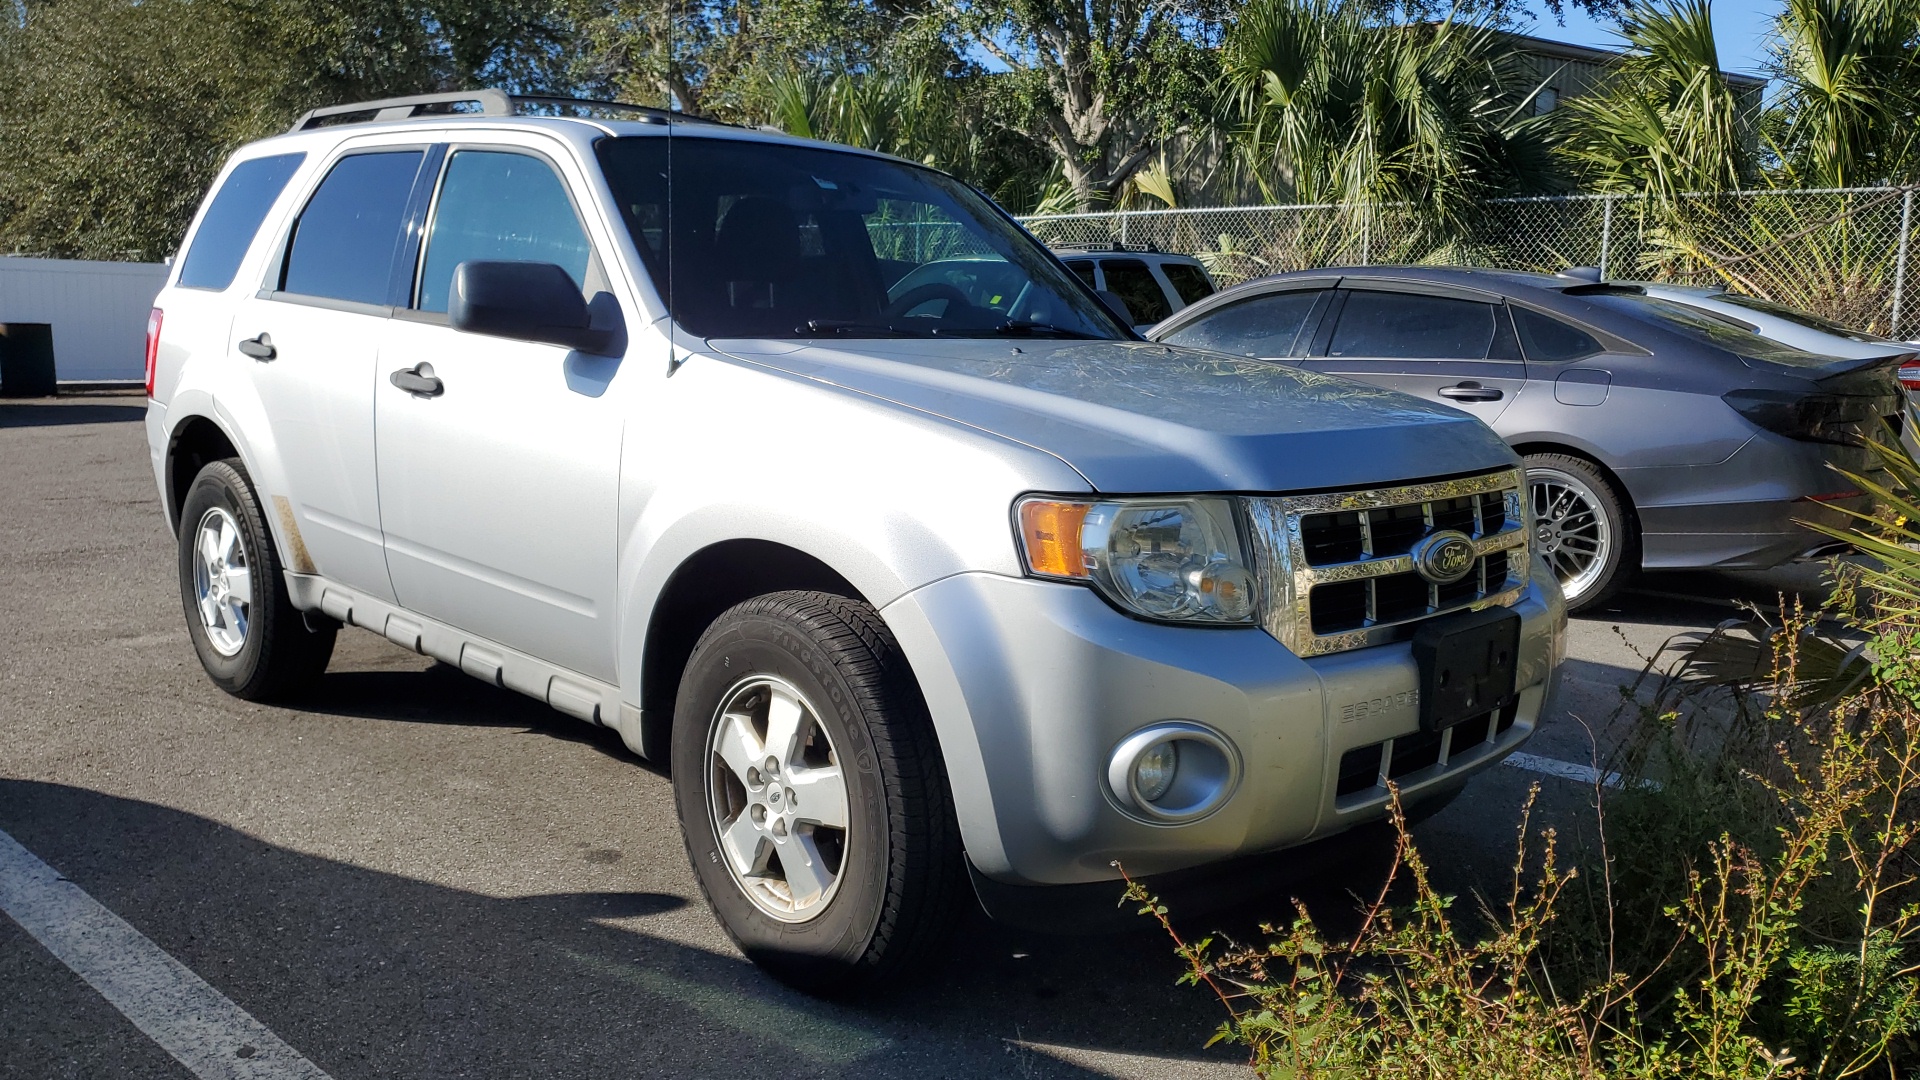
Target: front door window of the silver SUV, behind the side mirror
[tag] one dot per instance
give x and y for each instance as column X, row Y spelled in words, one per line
column 506, row 209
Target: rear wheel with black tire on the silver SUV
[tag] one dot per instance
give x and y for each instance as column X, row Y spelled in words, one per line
column 249, row 635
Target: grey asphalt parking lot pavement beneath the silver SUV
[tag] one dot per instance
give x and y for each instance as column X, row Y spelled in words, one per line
column 418, row 875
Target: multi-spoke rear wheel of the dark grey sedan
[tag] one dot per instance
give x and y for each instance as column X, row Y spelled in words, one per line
column 1581, row 529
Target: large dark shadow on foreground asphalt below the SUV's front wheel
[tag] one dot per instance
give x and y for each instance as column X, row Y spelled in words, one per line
column 379, row 975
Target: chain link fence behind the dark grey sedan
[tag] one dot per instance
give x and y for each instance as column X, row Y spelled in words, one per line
column 1838, row 253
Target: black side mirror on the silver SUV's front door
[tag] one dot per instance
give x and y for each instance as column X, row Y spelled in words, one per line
column 529, row 303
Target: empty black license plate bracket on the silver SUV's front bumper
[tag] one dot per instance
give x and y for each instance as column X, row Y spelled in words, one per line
column 1468, row 666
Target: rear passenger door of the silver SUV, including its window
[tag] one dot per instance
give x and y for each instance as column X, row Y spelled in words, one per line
column 312, row 343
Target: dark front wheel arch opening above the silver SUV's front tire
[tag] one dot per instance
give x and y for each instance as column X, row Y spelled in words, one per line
column 698, row 593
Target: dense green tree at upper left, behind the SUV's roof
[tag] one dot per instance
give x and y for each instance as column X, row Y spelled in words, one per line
column 120, row 112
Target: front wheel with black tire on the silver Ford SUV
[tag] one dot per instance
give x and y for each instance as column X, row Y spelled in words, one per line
column 811, row 795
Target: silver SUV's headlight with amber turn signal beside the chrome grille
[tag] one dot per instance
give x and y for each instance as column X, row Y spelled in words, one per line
column 1168, row 560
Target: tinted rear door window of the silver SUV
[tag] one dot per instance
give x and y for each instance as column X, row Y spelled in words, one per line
column 345, row 239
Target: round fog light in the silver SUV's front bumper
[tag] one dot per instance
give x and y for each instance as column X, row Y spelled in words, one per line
column 1172, row 773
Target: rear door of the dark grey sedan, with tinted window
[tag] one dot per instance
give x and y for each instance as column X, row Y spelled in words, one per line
column 1458, row 351
